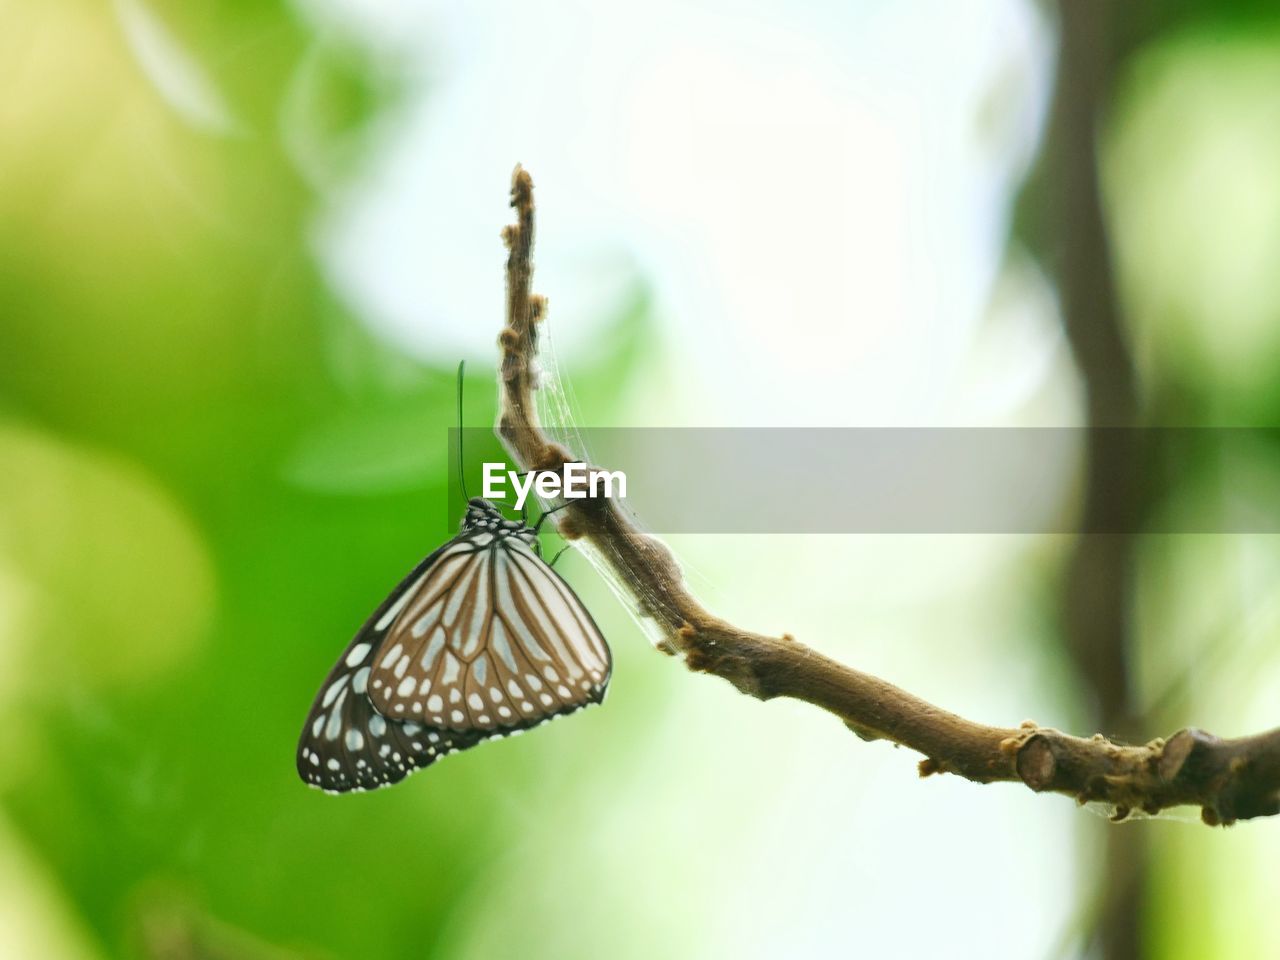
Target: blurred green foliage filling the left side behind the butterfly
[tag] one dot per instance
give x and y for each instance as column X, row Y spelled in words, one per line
column 211, row 476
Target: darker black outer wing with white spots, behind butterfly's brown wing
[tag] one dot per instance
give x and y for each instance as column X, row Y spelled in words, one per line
column 346, row 744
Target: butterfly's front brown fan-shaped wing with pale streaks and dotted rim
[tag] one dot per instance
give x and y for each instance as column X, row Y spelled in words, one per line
column 495, row 641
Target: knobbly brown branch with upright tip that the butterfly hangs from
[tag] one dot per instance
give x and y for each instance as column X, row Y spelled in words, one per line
column 1229, row 780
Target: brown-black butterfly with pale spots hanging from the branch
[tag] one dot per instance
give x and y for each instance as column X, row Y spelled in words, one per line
column 483, row 639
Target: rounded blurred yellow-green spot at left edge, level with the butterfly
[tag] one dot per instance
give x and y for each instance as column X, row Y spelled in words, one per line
column 120, row 586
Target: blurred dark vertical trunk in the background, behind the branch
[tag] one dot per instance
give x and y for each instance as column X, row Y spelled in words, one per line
column 1098, row 586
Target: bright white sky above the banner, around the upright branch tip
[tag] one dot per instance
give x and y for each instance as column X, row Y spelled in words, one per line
column 817, row 193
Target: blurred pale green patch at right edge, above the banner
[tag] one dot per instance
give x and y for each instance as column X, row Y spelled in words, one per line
column 1195, row 202
